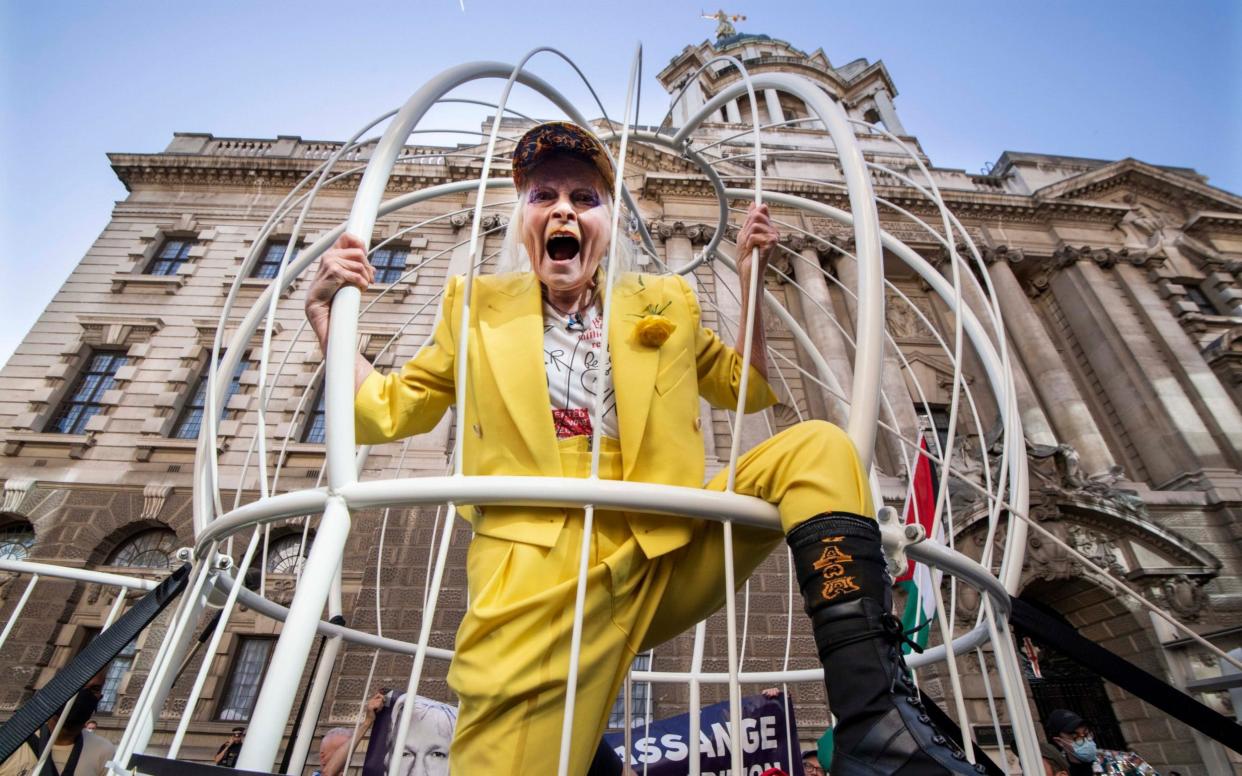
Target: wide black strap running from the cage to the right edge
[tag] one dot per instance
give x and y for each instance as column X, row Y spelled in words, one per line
column 1127, row 676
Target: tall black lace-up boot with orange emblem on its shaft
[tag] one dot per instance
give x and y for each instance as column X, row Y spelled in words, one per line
column 882, row 728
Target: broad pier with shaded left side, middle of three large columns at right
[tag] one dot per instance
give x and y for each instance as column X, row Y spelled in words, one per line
column 1167, row 433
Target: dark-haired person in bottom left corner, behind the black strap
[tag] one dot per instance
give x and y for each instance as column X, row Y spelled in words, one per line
column 76, row 751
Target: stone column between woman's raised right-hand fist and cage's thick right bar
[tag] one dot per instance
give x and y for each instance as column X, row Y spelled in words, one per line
column 818, row 318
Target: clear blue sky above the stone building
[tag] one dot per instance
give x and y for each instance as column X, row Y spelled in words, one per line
column 1153, row 80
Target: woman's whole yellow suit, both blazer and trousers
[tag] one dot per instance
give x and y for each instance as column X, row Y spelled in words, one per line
column 512, row 646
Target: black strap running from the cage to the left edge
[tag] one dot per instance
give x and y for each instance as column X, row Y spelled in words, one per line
column 90, row 662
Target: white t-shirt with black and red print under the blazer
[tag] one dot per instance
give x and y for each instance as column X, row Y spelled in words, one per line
column 572, row 358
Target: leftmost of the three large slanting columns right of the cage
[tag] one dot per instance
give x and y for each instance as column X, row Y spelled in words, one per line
column 1053, row 383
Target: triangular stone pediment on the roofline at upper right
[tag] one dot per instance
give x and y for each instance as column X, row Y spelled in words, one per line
column 1135, row 177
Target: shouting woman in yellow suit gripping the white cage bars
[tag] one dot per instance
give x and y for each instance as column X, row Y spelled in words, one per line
column 535, row 366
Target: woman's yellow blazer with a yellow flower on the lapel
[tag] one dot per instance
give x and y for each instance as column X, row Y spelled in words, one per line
column 509, row 415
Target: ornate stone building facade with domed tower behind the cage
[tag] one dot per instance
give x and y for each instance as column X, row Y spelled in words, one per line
column 1120, row 282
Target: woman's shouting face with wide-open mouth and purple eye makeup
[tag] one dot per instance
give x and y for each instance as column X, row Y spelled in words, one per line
column 566, row 224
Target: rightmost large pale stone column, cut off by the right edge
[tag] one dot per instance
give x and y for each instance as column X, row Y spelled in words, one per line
column 1184, row 357
